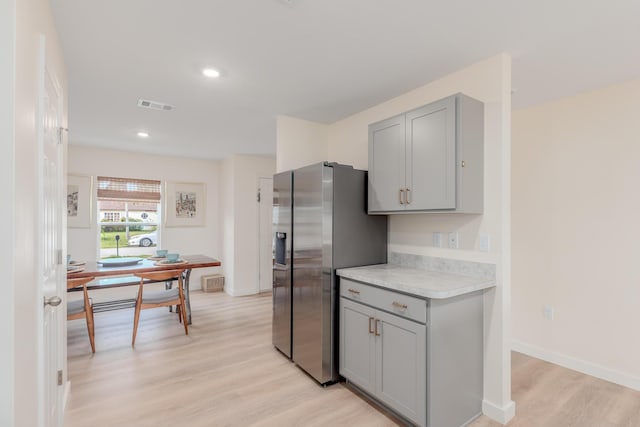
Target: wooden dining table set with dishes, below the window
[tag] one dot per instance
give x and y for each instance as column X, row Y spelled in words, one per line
column 99, row 271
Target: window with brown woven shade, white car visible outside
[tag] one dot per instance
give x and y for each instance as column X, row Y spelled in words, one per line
column 128, row 215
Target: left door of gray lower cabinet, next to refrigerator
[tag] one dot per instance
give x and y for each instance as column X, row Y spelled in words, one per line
column 357, row 344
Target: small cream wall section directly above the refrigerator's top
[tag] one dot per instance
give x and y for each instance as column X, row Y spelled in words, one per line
column 300, row 143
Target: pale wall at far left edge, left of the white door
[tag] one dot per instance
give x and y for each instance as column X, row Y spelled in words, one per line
column 22, row 23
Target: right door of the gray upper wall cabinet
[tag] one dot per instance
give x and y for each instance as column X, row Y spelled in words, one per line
column 431, row 156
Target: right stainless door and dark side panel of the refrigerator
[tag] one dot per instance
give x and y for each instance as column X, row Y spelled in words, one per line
column 331, row 229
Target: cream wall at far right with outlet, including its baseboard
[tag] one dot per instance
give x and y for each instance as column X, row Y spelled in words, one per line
column 575, row 232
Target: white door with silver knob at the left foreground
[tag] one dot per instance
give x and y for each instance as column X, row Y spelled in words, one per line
column 51, row 273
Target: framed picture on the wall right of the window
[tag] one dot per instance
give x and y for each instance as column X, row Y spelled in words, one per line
column 185, row 204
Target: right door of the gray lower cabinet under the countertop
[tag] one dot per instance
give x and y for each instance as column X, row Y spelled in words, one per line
column 401, row 375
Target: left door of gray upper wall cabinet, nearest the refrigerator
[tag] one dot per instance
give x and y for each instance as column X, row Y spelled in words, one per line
column 386, row 164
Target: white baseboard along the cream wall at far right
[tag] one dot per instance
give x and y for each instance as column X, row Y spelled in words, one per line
column 598, row 371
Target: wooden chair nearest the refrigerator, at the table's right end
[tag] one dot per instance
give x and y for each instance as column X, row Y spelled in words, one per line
column 162, row 298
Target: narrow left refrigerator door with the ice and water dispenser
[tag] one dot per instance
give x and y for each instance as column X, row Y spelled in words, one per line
column 282, row 229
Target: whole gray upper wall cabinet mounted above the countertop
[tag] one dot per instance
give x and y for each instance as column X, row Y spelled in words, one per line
column 429, row 159
